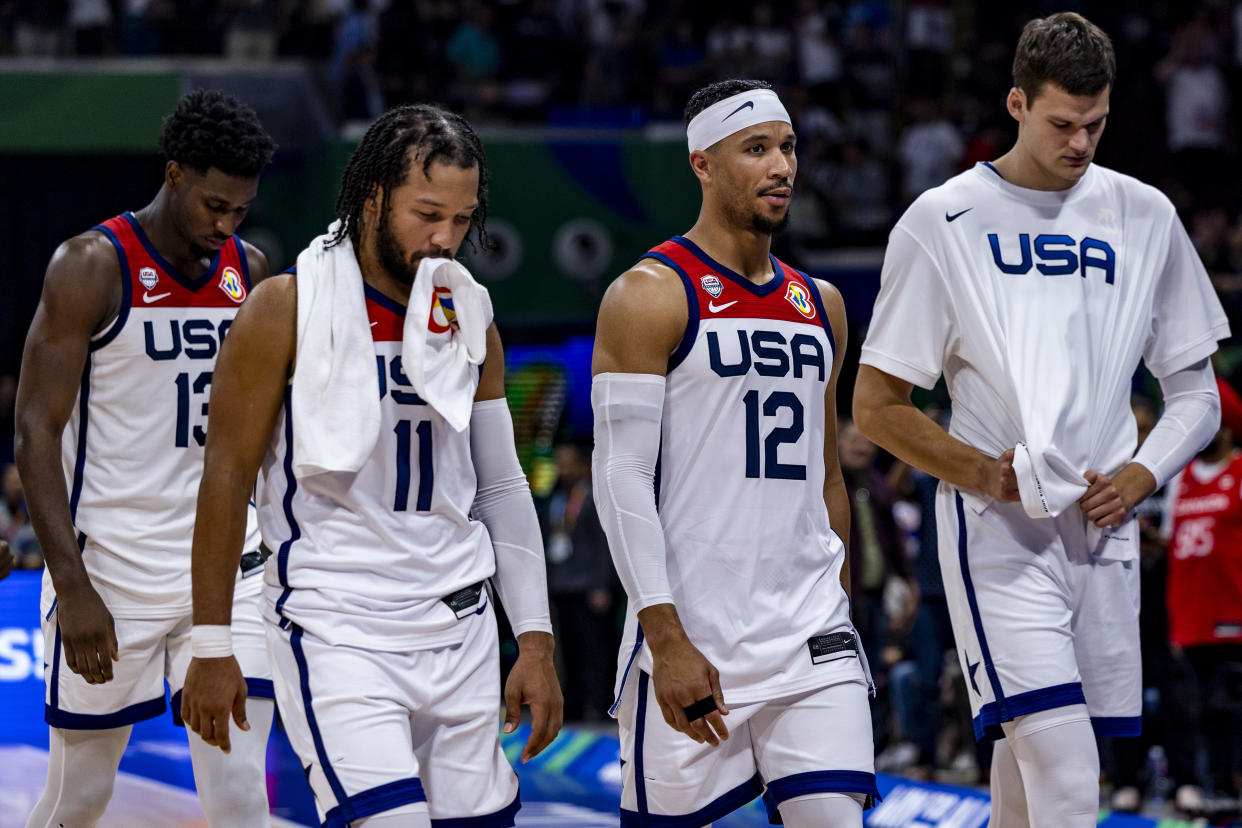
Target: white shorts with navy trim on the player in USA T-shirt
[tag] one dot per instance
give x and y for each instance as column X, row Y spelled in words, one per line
column 1040, row 623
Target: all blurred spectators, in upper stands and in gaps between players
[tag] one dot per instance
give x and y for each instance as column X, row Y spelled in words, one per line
column 889, row 100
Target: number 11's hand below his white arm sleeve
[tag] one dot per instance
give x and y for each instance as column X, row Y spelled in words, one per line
column 533, row 682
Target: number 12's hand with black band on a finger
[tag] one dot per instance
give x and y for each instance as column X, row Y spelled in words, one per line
column 682, row 676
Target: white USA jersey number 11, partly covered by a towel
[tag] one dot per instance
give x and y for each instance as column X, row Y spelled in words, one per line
column 366, row 559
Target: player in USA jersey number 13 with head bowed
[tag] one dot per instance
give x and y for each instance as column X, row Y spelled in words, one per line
column 111, row 418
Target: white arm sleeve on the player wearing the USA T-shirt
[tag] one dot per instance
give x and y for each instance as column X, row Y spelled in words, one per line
column 1192, row 418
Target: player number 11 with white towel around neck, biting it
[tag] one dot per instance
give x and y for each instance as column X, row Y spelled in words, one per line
column 381, row 626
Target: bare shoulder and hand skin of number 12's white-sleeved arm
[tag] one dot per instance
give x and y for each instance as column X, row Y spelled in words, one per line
column 641, row 322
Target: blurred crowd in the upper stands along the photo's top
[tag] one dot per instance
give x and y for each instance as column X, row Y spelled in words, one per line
column 889, row 99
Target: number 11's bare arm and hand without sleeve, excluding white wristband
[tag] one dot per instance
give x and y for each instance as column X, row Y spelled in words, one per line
column 248, row 392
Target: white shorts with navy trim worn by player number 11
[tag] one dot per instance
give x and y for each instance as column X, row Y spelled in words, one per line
column 383, row 731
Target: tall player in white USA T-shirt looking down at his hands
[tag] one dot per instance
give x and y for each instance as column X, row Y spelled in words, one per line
column 1035, row 285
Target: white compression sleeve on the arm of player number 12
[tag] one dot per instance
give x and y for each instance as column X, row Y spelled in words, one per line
column 628, row 410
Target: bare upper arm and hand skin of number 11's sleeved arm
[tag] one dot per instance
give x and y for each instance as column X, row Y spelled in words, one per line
column 533, row 680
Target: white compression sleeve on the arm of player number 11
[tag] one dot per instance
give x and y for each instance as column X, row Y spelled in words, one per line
column 504, row 505
